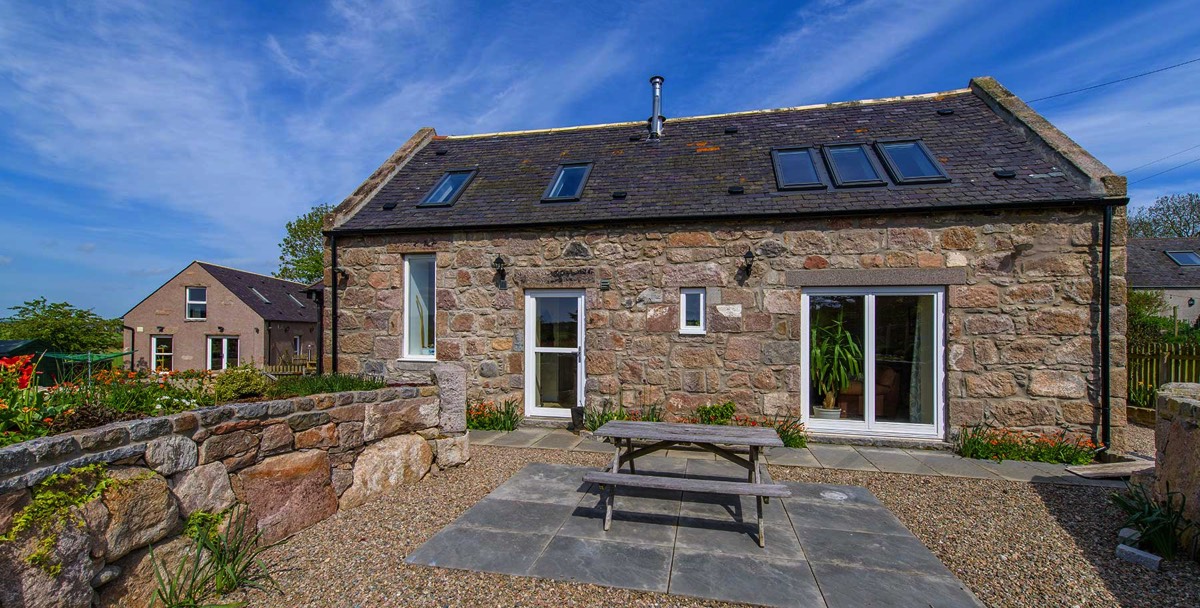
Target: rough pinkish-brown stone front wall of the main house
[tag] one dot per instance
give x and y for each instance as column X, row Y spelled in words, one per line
column 1023, row 317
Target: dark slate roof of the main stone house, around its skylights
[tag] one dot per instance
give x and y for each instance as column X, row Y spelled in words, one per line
column 688, row 173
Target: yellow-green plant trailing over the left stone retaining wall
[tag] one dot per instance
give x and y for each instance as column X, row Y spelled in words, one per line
column 53, row 508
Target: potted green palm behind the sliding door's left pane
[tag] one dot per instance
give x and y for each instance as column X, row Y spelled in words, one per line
column 836, row 360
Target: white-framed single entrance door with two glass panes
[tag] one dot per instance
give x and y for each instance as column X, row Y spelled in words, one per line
column 554, row 370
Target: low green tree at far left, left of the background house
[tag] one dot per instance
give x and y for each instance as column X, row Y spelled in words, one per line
column 63, row 328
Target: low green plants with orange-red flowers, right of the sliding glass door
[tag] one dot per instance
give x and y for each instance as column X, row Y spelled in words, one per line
column 1000, row 444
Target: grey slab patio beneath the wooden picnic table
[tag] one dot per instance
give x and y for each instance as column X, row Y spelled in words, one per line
column 827, row 546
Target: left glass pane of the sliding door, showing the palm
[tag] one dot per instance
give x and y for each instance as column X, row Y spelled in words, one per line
column 837, row 357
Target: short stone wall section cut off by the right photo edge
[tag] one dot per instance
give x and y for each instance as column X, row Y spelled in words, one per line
column 1178, row 448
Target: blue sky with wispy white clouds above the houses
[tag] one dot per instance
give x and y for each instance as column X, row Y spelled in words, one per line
column 136, row 137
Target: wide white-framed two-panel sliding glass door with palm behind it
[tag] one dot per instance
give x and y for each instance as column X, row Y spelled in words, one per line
column 873, row 360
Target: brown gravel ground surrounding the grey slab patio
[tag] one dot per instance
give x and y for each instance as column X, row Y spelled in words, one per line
column 1013, row 544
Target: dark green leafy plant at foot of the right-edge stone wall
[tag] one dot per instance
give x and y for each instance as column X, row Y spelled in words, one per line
column 1161, row 526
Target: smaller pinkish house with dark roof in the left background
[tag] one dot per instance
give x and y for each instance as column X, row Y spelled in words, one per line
column 212, row 317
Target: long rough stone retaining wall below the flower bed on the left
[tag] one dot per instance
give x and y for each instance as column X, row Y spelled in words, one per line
column 291, row 462
